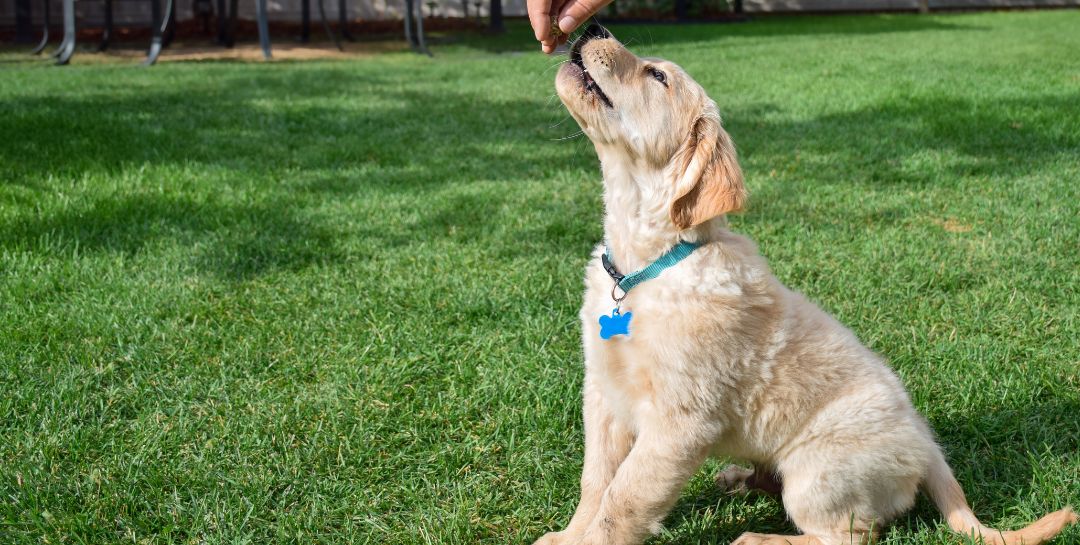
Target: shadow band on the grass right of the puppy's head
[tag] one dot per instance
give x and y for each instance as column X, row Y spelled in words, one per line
column 996, row 139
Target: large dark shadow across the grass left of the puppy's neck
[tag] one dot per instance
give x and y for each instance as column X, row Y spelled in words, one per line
column 286, row 162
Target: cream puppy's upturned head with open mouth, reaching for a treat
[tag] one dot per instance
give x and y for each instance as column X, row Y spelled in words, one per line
column 649, row 114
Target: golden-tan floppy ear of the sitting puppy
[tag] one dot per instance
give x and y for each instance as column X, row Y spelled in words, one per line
column 708, row 180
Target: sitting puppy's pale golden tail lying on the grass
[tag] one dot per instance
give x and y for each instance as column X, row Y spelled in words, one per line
column 941, row 486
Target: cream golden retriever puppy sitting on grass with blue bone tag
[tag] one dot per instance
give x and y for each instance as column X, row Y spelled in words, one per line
column 713, row 357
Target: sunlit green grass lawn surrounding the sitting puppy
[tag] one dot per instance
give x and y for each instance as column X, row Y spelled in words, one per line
column 336, row 302
